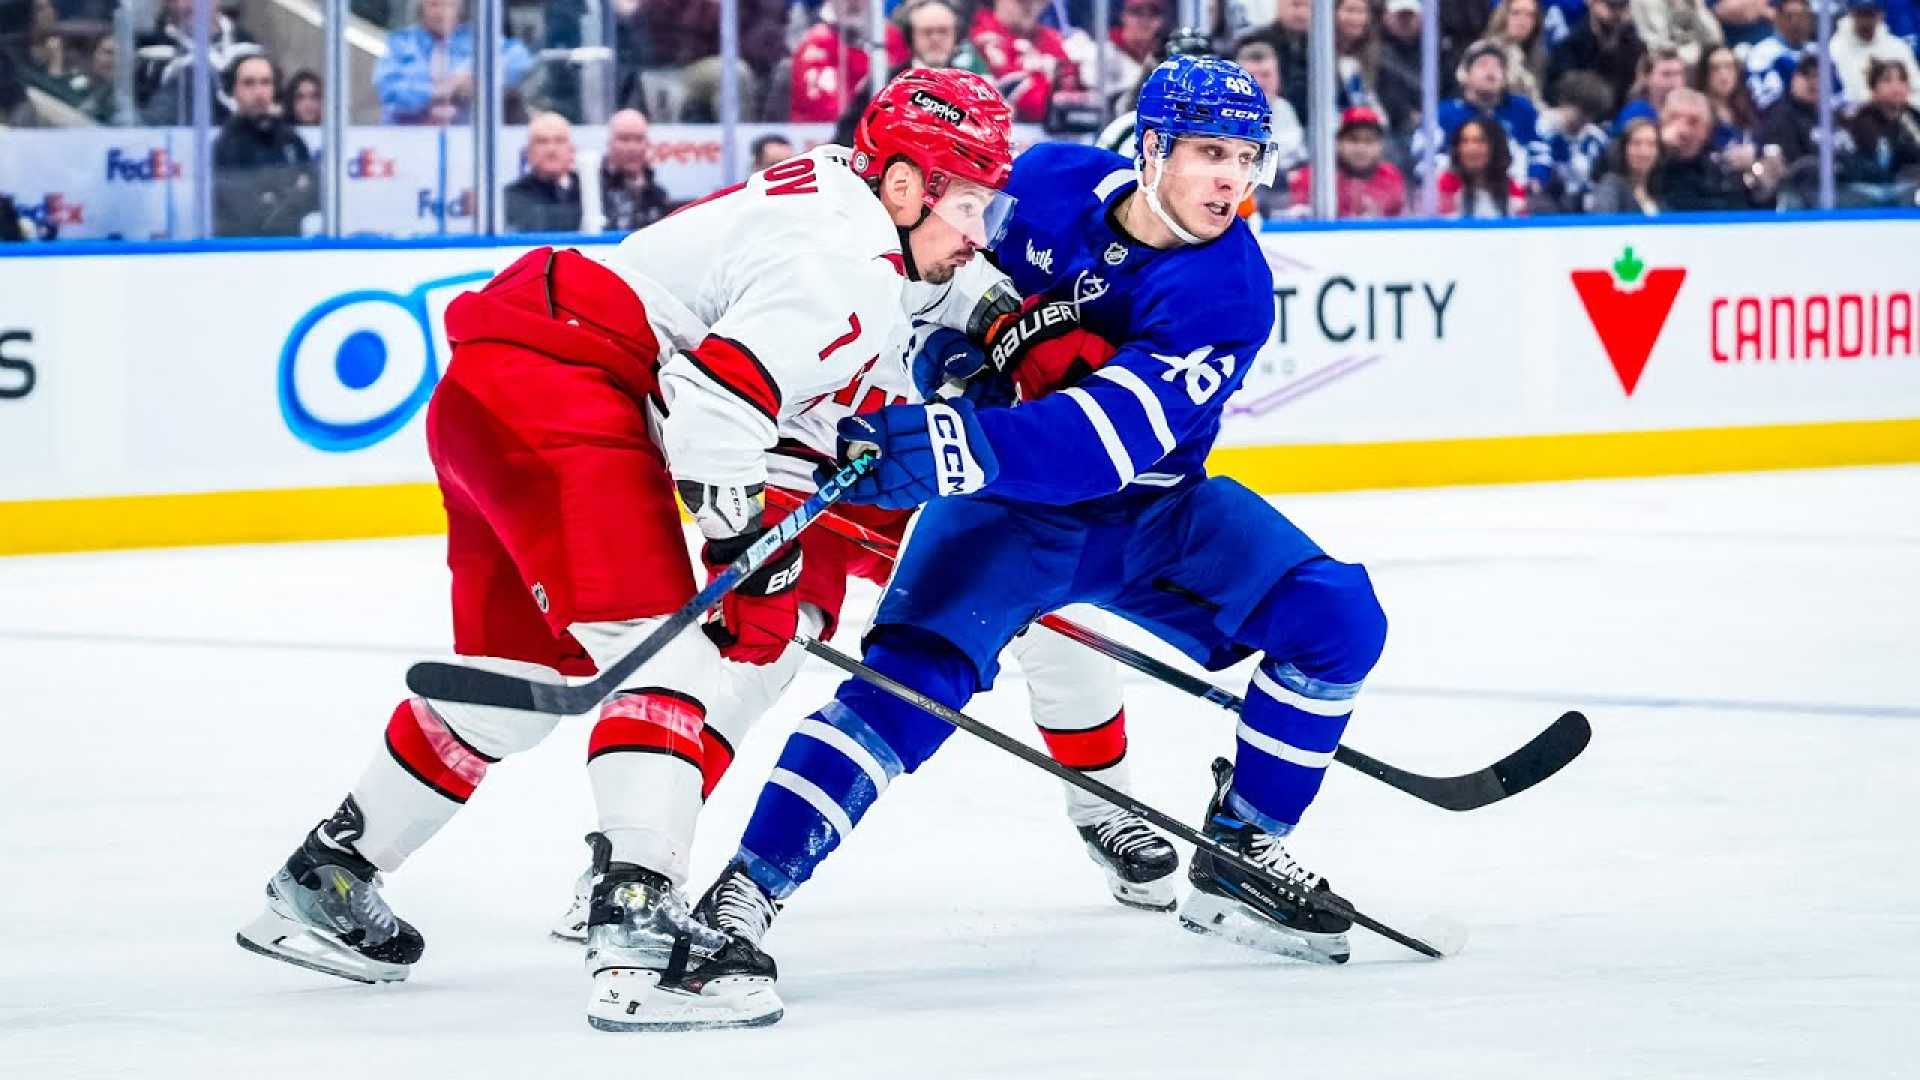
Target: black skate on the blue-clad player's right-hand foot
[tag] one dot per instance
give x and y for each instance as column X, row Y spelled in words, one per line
column 1247, row 912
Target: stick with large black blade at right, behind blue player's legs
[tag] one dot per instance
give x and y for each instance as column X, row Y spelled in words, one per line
column 1547, row 754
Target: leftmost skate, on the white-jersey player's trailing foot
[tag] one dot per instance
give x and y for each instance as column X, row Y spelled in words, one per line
column 325, row 910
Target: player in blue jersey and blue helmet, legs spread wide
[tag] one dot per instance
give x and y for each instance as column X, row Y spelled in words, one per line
column 1097, row 493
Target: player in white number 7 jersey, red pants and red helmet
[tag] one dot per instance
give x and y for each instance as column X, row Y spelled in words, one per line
column 581, row 397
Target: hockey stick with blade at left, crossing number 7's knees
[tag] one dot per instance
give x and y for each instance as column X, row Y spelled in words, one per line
column 475, row 687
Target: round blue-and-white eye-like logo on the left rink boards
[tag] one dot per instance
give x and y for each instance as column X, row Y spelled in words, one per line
column 356, row 368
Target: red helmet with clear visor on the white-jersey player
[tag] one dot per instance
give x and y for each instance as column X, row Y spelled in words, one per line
column 959, row 132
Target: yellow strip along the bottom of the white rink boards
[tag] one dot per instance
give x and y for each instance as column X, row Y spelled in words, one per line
column 414, row 510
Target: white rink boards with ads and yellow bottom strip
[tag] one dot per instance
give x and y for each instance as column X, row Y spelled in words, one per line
column 256, row 393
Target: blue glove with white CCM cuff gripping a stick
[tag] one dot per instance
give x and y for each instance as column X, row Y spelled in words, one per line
column 924, row 453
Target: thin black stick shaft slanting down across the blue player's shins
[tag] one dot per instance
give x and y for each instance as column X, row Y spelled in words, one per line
column 1328, row 902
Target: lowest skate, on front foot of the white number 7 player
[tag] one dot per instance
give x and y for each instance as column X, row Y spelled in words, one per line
column 660, row 970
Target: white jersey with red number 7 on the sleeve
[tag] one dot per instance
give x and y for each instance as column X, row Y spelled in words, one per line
column 769, row 301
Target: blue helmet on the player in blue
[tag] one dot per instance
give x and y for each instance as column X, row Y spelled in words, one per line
column 1207, row 97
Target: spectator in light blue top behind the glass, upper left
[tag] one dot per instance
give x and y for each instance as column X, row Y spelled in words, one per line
column 427, row 74
